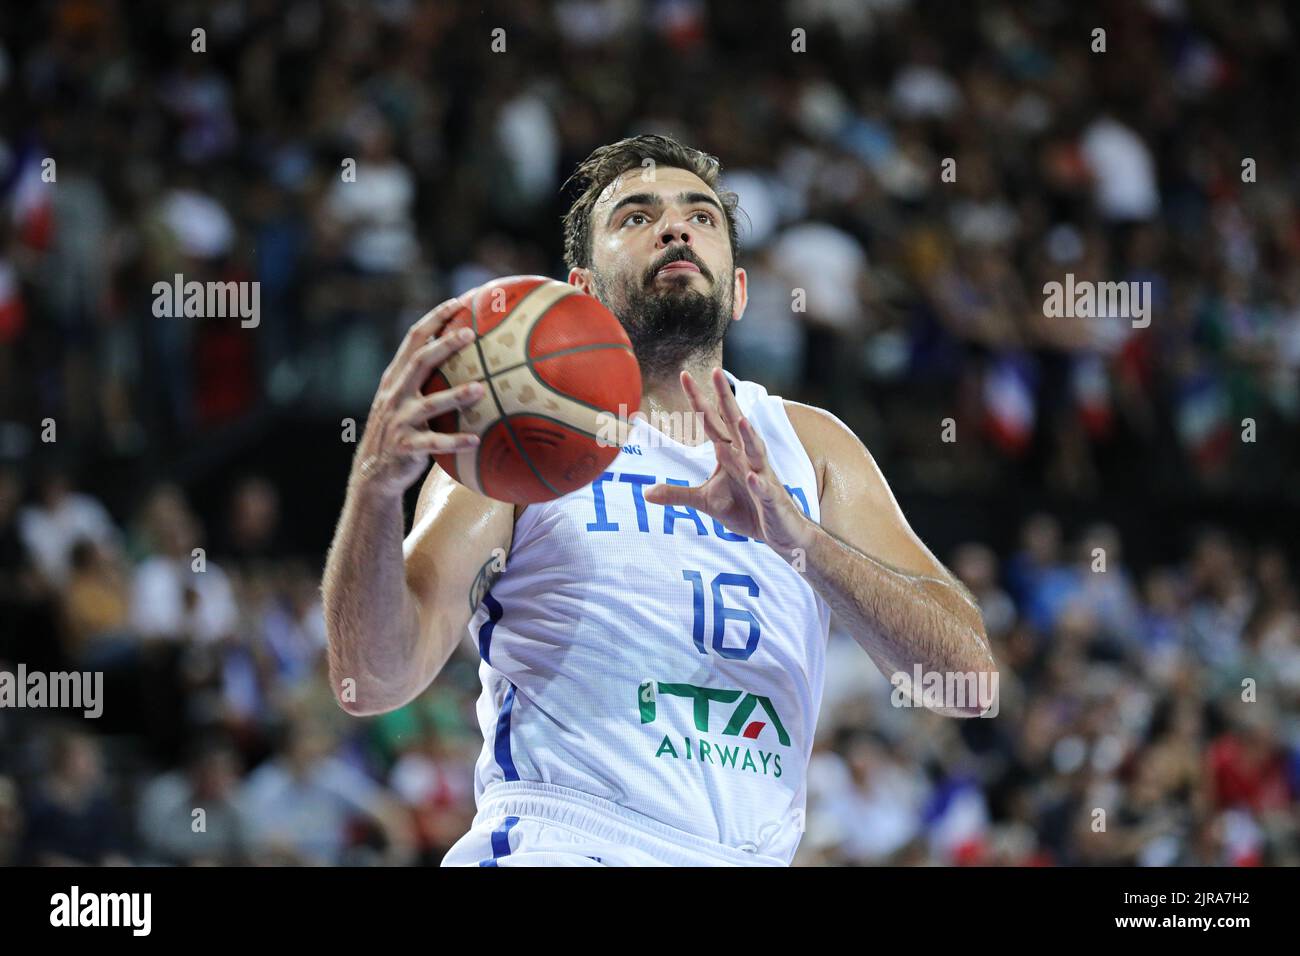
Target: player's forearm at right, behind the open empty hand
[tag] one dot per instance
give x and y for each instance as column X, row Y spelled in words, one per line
column 902, row 620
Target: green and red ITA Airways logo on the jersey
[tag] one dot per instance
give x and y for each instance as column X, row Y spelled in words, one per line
column 743, row 717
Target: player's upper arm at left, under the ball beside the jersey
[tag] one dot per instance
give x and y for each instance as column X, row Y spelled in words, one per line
column 458, row 546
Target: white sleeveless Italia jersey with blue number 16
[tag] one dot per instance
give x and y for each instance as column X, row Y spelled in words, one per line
column 648, row 656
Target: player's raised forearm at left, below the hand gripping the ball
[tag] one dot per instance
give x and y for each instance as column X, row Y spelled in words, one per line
column 371, row 618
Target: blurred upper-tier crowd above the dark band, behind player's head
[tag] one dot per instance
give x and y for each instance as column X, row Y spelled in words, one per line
column 911, row 174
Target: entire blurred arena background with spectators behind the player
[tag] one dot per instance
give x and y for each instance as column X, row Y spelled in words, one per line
column 1121, row 690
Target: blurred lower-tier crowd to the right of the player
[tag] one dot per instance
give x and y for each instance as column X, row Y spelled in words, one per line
column 1143, row 720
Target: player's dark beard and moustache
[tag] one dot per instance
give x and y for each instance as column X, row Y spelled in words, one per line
column 669, row 323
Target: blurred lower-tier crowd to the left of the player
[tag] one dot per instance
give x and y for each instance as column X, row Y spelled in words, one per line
column 215, row 698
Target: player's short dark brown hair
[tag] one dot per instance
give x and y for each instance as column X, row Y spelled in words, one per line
column 606, row 163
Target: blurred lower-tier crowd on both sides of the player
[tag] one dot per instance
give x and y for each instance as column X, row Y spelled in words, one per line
column 1142, row 719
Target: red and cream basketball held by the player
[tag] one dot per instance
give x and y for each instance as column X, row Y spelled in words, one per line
column 562, row 383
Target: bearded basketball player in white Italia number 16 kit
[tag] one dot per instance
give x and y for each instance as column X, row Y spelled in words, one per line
column 653, row 648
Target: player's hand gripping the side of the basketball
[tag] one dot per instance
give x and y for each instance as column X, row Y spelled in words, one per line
column 397, row 444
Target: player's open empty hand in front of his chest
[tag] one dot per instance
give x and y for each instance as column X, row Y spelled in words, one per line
column 744, row 494
